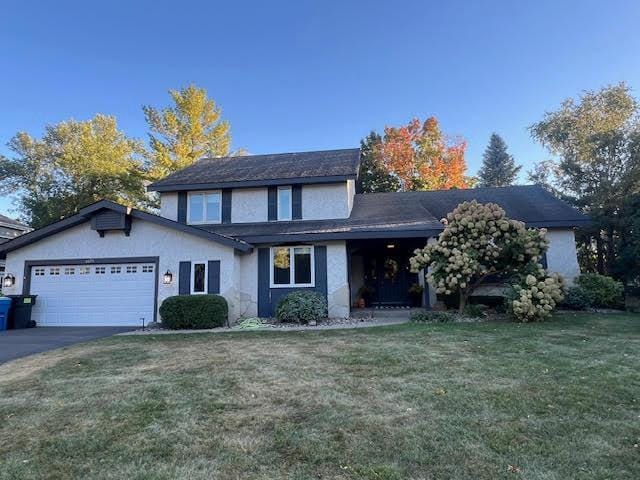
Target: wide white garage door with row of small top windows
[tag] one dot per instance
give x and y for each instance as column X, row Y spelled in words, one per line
column 93, row 295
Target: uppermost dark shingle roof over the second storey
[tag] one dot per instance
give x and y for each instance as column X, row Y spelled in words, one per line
column 262, row 170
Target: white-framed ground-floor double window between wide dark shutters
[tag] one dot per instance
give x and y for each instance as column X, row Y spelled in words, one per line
column 292, row 267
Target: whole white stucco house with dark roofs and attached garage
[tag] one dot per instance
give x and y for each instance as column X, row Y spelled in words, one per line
column 253, row 229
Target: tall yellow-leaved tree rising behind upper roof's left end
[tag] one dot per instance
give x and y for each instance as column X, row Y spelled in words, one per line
column 188, row 130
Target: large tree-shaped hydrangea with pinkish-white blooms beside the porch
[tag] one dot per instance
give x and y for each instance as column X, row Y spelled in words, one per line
column 478, row 241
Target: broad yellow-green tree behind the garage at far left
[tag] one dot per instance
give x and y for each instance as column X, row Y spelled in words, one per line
column 74, row 164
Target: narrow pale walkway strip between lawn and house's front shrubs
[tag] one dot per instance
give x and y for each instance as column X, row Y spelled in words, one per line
column 293, row 328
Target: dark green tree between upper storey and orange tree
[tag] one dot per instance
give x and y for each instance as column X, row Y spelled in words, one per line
column 374, row 177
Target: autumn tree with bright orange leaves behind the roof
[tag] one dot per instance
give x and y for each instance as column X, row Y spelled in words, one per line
column 419, row 156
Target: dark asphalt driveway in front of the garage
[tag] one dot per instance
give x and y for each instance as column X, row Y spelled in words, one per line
column 20, row 343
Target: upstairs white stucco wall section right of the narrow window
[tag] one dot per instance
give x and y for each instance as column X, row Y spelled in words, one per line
column 321, row 202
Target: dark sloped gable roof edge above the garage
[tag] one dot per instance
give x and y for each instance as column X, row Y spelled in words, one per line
column 86, row 213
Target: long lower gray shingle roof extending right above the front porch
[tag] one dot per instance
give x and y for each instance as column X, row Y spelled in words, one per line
column 411, row 214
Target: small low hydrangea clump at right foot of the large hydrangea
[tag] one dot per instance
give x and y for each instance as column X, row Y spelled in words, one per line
column 537, row 297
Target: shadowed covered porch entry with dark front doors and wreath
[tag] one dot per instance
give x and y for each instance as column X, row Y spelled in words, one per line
column 380, row 274
